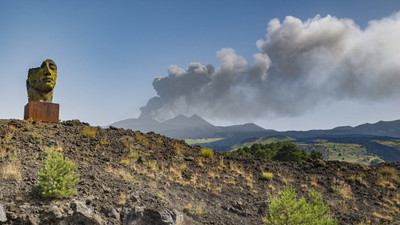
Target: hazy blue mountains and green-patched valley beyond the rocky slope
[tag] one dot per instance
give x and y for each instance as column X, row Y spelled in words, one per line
column 366, row 143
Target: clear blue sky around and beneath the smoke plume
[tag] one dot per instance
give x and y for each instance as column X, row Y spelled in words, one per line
column 109, row 52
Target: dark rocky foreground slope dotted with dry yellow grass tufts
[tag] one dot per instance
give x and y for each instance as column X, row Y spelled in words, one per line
column 127, row 177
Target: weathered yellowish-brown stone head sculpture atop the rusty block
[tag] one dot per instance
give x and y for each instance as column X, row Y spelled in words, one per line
column 41, row 81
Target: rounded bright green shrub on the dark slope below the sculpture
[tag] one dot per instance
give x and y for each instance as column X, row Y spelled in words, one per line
column 57, row 176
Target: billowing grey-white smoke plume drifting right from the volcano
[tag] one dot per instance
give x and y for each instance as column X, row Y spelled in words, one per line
column 299, row 66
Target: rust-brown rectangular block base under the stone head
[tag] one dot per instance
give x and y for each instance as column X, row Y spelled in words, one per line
column 42, row 111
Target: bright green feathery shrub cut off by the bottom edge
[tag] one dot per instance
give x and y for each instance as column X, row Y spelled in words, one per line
column 286, row 209
